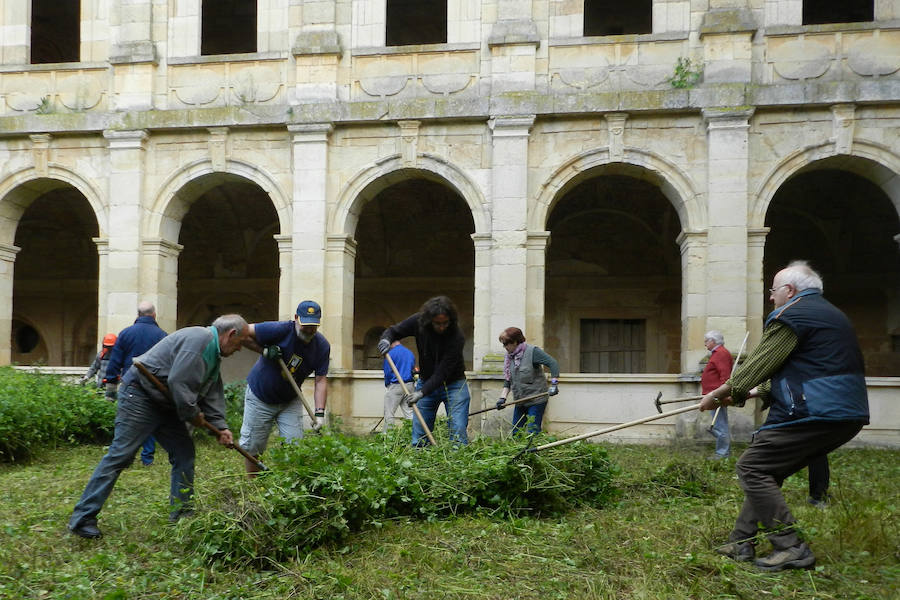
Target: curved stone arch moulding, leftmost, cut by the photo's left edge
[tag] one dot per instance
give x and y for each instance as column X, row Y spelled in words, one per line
column 21, row 187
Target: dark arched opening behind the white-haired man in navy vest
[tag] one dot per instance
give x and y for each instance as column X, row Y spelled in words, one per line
column 846, row 226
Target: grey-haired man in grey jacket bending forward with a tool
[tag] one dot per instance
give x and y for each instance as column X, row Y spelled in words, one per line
column 187, row 362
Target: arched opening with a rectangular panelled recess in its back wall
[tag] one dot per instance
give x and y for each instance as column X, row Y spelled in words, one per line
column 613, row 278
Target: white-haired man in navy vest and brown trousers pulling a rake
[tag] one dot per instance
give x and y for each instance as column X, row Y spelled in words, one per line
column 808, row 370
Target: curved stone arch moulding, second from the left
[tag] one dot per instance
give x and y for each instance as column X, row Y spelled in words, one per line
column 170, row 204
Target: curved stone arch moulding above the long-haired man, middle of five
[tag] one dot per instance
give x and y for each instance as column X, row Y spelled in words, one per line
column 367, row 183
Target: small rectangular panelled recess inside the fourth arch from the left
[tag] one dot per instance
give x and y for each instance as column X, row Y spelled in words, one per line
column 613, row 345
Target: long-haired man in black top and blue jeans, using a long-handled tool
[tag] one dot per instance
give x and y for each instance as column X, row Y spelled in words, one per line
column 439, row 342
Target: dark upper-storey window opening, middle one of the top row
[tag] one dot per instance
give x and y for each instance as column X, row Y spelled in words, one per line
column 416, row 22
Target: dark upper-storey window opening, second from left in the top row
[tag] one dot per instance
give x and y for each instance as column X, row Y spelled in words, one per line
column 227, row 27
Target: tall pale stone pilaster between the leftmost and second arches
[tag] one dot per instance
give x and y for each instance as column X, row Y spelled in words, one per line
column 126, row 187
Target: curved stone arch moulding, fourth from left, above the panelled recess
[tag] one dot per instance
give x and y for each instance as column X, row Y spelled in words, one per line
column 675, row 184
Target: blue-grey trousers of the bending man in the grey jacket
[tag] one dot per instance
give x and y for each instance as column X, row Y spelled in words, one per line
column 136, row 418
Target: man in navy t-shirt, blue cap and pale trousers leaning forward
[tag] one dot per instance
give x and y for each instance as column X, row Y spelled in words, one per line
column 270, row 397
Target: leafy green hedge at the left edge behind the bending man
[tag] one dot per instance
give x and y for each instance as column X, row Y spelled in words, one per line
column 41, row 411
